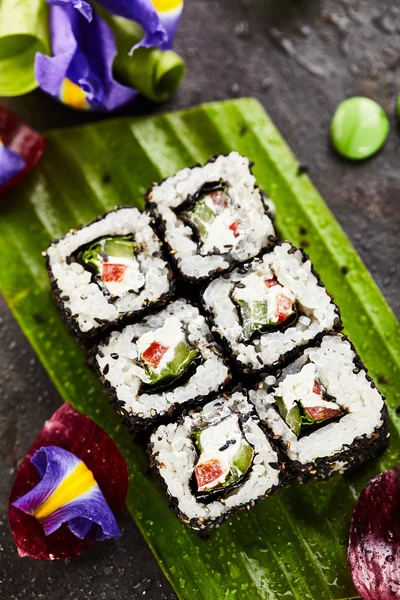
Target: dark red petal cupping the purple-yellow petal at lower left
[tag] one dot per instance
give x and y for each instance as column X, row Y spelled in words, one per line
column 78, row 434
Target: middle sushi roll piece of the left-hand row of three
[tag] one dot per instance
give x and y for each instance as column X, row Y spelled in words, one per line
column 166, row 361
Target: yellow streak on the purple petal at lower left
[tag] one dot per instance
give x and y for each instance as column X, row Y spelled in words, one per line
column 73, row 486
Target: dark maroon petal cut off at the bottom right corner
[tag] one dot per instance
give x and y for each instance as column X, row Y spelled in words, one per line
column 374, row 544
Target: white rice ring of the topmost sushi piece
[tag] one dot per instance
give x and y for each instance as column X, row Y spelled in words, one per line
column 247, row 206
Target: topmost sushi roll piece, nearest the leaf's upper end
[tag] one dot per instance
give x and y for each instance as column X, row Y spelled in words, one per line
column 212, row 217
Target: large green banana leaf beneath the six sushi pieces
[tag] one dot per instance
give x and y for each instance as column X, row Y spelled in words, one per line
column 293, row 544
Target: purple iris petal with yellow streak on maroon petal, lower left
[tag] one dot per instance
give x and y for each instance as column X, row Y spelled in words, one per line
column 68, row 493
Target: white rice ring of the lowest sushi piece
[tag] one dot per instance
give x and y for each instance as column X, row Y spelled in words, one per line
column 175, row 456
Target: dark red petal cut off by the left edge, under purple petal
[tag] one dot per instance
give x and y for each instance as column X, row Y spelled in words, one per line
column 21, row 139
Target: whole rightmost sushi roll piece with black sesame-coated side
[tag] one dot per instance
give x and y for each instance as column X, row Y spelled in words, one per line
column 324, row 409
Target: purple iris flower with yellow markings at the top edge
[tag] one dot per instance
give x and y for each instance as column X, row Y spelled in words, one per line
column 80, row 72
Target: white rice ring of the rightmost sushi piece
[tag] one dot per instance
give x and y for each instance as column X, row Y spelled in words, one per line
column 353, row 393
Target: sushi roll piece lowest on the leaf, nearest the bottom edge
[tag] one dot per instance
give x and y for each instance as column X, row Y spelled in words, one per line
column 214, row 461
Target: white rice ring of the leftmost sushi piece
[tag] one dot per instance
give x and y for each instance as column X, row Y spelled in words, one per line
column 85, row 298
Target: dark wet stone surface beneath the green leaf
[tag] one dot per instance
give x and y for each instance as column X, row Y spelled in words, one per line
column 300, row 58
